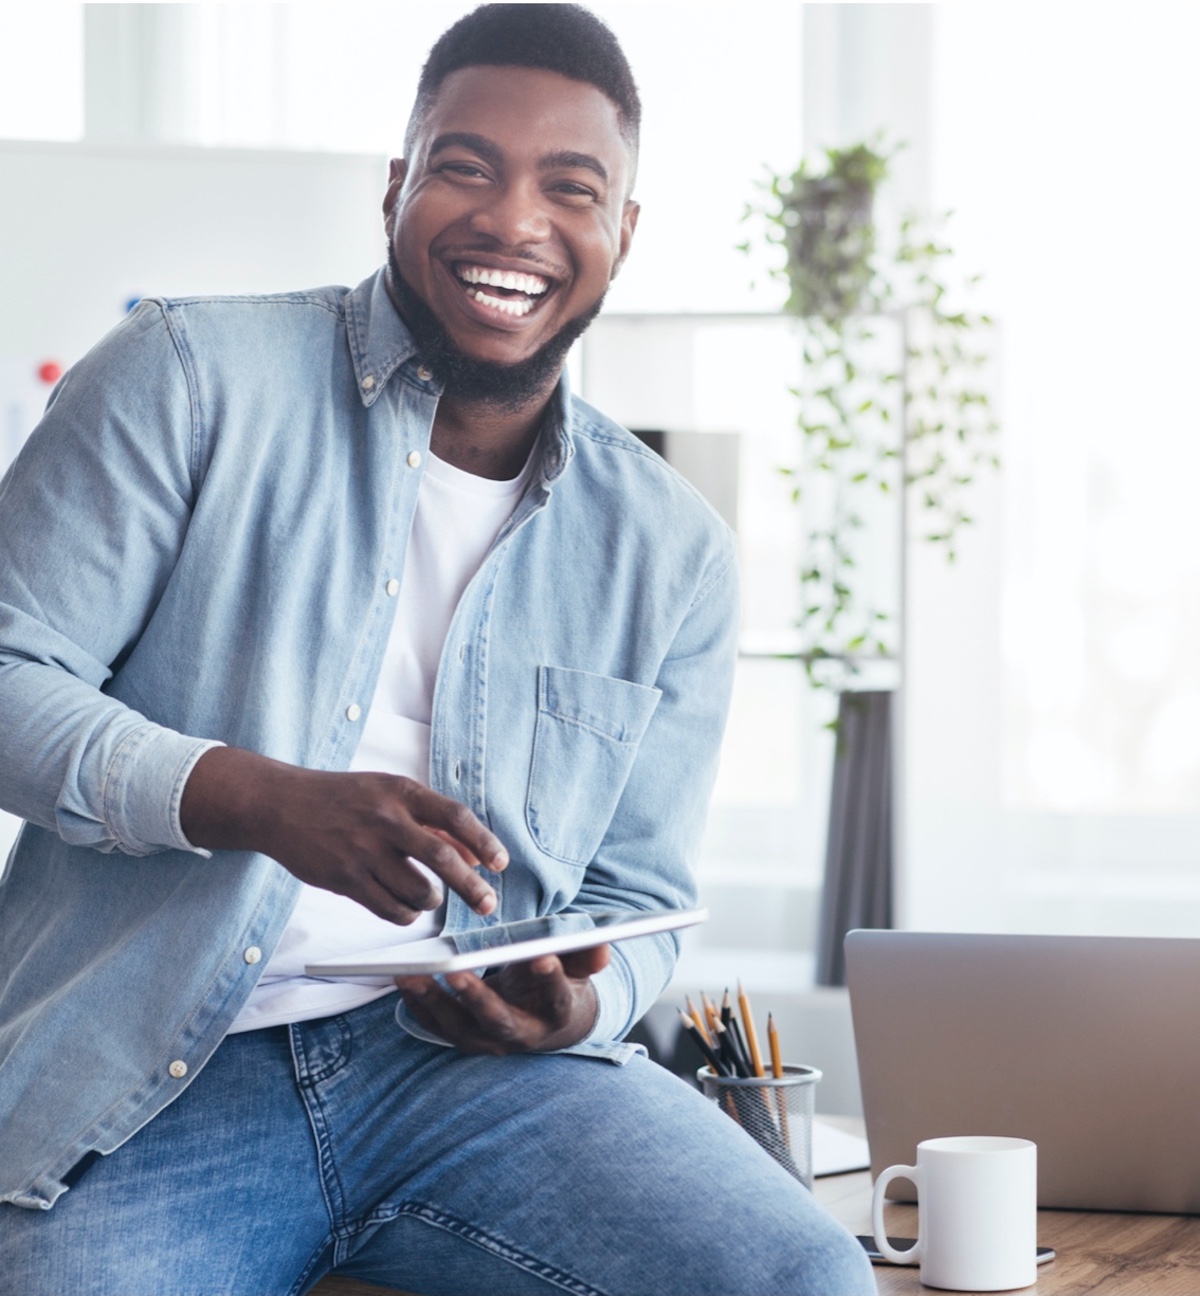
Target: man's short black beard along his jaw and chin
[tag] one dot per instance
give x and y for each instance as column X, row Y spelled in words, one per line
column 509, row 388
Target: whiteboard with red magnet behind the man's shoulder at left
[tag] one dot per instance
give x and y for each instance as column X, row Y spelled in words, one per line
column 87, row 229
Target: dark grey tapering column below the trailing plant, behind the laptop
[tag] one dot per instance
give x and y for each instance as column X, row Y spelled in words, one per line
column 859, row 851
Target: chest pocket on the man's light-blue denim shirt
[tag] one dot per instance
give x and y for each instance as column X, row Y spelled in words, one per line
column 588, row 735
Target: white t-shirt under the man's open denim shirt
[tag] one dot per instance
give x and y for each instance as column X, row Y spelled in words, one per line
column 458, row 516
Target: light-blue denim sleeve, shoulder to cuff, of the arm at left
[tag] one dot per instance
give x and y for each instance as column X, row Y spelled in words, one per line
column 93, row 518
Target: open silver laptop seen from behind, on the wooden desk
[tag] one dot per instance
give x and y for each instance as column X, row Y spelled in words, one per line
column 1088, row 1045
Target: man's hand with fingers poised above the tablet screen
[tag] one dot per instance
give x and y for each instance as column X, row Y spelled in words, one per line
column 352, row 834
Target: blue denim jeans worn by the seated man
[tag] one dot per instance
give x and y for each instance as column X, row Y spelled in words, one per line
column 347, row 1145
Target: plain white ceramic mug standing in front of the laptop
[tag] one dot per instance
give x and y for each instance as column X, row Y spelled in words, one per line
column 978, row 1199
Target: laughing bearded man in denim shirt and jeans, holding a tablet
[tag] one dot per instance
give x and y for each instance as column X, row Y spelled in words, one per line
column 327, row 618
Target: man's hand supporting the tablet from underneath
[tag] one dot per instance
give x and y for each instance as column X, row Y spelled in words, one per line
column 525, row 1008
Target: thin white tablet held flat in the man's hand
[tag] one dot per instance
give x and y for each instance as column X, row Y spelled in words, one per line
column 509, row 943
